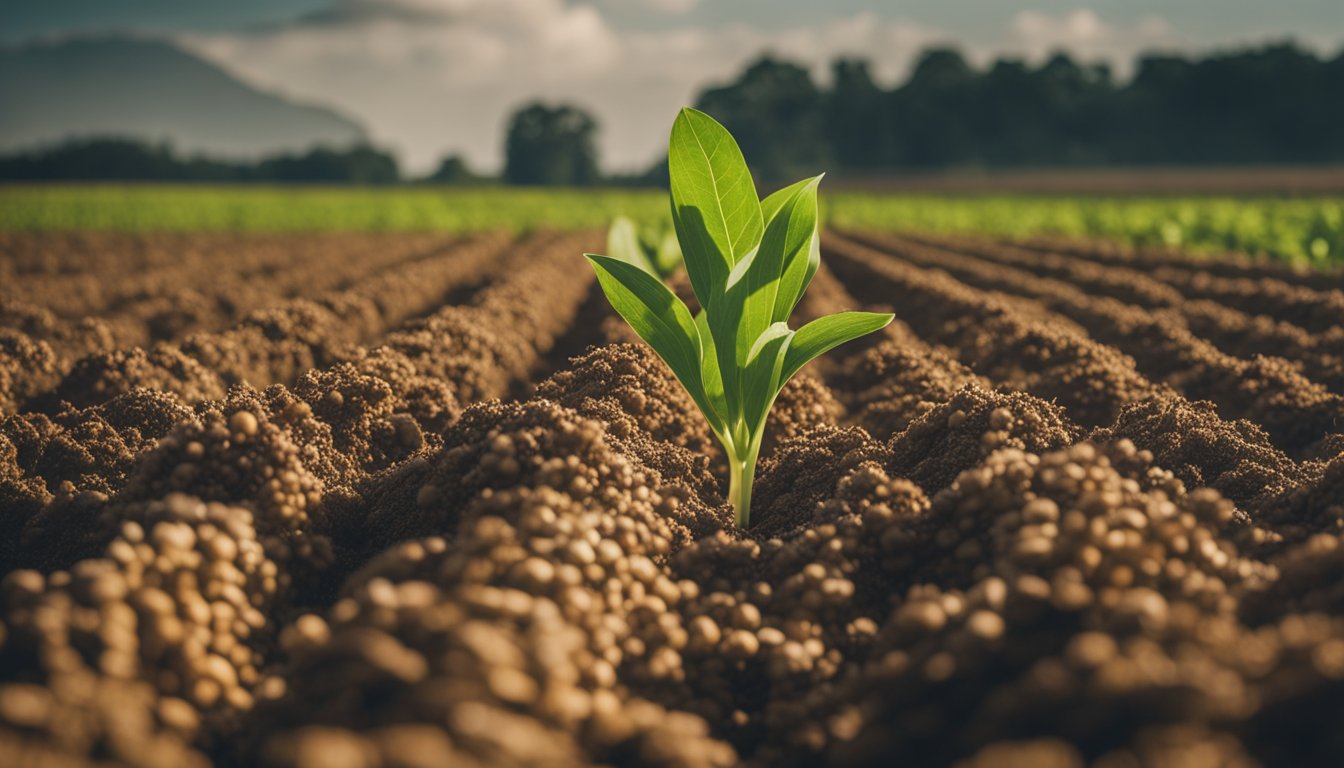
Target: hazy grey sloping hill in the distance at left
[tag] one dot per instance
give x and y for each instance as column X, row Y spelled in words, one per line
column 151, row 91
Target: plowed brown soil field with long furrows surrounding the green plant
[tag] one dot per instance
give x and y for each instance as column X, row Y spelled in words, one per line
column 408, row 501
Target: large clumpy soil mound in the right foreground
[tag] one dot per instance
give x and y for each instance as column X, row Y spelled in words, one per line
column 1038, row 617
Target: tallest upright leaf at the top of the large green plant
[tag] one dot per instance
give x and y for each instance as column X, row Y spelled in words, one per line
column 714, row 202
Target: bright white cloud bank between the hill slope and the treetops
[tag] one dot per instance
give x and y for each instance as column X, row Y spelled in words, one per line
column 431, row 77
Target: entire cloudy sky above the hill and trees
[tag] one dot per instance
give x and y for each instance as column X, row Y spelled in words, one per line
column 431, row 77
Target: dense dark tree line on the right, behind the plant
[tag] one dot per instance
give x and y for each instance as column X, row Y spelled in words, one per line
column 1276, row 104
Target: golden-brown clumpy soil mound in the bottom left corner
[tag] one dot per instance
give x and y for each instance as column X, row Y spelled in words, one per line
column 134, row 656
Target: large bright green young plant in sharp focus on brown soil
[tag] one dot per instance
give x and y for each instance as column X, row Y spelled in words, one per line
column 749, row 263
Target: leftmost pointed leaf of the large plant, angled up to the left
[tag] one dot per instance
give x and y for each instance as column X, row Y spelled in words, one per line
column 658, row 317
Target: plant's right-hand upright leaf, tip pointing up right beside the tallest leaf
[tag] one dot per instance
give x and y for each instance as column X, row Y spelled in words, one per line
column 773, row 280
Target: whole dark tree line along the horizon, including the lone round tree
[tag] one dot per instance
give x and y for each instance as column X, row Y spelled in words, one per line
column 1273, row 104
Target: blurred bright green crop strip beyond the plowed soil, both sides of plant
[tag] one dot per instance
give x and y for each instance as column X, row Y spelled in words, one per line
column 1302, row 231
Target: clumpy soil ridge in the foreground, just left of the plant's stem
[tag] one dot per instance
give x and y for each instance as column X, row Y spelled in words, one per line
column 506, row 626
